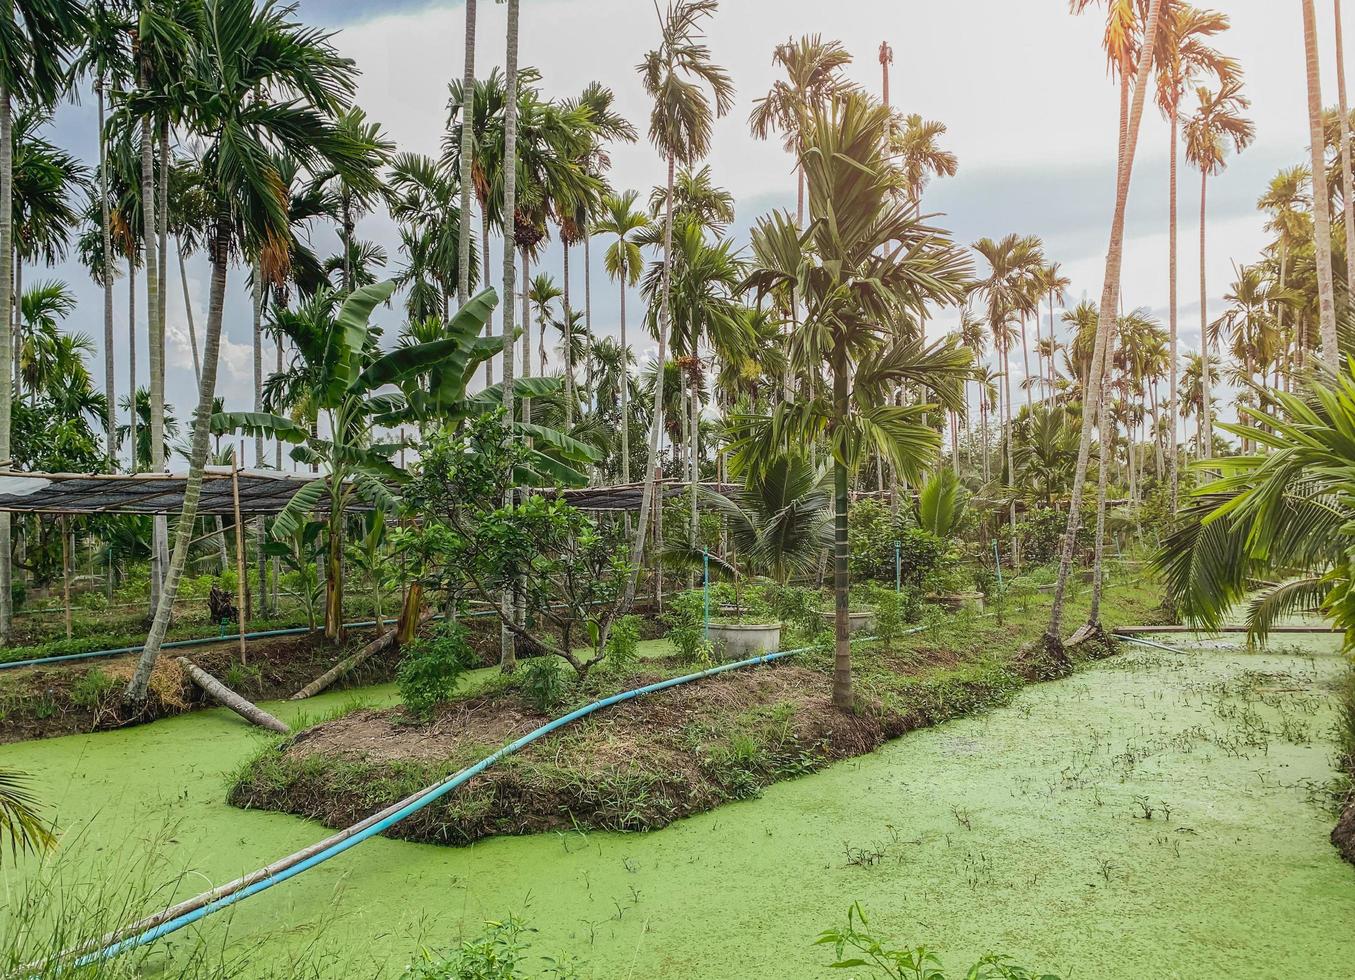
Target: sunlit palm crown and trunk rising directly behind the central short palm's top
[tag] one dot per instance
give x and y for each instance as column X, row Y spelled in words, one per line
column 814, row 75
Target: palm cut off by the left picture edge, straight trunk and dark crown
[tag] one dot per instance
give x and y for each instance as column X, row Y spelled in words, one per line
column 39, row 40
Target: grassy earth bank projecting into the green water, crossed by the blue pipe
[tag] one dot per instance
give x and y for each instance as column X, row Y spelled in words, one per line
column 646, row 764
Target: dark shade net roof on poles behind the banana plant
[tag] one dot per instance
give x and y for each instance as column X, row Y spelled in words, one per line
column 261, row 493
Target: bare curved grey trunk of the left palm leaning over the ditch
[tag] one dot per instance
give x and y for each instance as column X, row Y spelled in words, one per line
column 197, row 463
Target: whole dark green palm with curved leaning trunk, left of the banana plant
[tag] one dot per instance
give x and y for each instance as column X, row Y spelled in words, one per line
column 257, row 85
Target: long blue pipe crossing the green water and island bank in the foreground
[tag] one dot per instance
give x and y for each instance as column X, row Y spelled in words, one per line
column 417, row 804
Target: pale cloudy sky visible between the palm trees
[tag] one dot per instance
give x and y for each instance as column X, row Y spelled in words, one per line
column 1022, row 87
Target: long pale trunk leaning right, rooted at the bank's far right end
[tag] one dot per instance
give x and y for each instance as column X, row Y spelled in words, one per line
column 1106, row 317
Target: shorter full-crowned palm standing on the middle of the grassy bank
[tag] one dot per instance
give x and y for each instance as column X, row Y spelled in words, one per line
column 869, row 270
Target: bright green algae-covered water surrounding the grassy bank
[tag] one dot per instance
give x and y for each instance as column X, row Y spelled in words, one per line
column 1156, row 815
